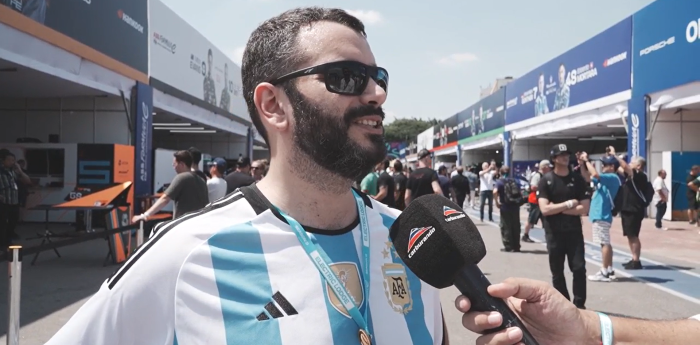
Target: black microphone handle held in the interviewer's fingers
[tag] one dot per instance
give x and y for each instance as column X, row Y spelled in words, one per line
column 472, row 283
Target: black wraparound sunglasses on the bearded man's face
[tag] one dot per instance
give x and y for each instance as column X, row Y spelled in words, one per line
column 343, row 77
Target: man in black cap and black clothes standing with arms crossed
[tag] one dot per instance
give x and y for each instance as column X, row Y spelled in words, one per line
column 563, row 199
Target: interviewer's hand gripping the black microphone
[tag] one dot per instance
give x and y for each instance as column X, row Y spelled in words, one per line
column 549, row 317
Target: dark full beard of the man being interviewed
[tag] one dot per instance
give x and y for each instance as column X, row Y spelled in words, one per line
column 324, row 138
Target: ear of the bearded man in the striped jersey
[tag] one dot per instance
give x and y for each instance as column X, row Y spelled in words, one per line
column 268, row 101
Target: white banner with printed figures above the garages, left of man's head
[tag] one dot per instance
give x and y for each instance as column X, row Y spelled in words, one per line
column 183, row 59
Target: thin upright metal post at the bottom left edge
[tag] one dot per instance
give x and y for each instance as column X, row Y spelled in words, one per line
column 15, row 288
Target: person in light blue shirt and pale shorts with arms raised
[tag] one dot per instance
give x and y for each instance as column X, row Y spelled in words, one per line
column 605, row 186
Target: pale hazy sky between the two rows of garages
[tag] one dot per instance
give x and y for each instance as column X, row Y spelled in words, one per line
column 439, row 53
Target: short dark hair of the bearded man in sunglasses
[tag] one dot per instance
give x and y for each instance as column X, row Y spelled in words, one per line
column 272, row 49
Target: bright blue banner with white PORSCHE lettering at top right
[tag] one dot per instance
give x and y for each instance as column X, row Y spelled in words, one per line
column 667, row 45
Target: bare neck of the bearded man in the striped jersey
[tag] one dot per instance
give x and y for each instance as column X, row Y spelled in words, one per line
column 322, row 203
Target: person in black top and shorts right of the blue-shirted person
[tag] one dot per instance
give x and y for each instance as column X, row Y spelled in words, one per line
column 633, row 207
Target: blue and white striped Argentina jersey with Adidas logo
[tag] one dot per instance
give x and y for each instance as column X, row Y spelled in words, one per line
column 235, row 273
